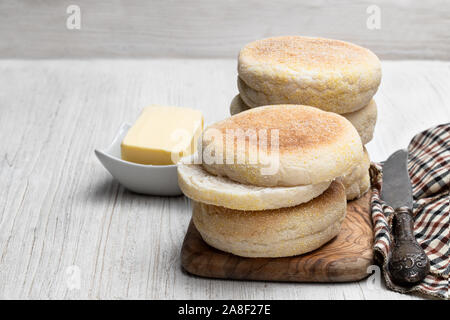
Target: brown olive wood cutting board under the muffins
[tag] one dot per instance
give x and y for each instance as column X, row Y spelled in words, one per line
column 345, row 258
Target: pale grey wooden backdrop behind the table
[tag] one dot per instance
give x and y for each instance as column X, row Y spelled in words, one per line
column 410, row 29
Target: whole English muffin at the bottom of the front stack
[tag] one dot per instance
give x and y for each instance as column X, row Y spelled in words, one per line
column 273, row 233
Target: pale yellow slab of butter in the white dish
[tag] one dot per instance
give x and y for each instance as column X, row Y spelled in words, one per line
column 162, row 135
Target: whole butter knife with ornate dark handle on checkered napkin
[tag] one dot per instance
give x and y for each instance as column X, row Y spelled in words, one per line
column 408, row 264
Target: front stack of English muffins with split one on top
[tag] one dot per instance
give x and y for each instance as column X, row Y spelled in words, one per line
column 278, row 194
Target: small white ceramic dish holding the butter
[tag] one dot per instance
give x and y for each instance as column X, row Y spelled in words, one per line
column 145, row 179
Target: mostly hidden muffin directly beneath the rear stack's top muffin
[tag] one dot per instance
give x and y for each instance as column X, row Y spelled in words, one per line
column 363, row 120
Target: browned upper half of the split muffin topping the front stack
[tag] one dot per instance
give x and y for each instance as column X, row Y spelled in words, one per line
column 310, row 146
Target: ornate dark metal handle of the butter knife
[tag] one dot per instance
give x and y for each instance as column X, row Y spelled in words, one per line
column 408, row 264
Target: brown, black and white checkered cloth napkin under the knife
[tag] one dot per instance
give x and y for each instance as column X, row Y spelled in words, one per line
column 429, row 170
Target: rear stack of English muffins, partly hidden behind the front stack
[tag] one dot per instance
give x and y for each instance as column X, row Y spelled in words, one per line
column 331, row 75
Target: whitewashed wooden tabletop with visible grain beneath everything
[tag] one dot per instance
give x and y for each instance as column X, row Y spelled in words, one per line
column 63, row 216
